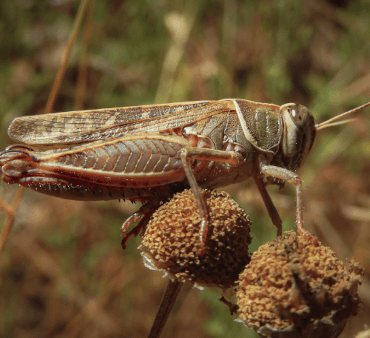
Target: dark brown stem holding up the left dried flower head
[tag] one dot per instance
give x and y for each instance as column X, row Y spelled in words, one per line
column 168, row 301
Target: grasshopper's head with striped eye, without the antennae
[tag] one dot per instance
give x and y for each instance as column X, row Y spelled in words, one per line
column 298, row 135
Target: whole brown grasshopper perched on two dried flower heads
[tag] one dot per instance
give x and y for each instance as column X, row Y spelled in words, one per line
column 146, row 152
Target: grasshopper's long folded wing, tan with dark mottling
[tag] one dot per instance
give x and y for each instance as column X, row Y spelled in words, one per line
column 91, row 125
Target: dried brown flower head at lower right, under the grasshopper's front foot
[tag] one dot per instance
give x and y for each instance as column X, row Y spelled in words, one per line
column 293, row 288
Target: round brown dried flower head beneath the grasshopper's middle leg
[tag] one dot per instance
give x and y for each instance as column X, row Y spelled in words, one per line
column 171, row 240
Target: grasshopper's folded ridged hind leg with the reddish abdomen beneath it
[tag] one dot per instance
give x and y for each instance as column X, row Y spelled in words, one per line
column 130, row 168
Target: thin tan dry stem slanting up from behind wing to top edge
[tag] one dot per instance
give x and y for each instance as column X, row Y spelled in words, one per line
column 59, row 77
